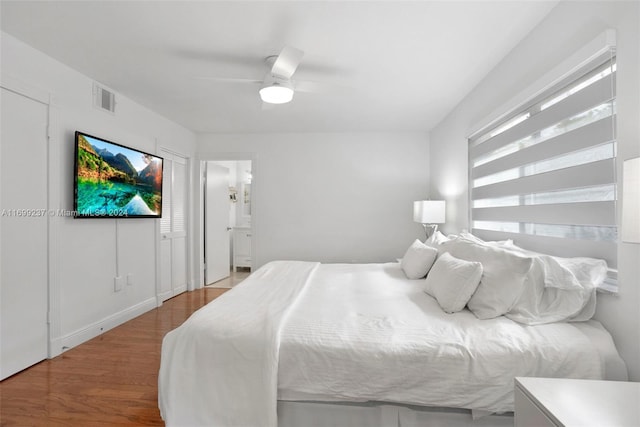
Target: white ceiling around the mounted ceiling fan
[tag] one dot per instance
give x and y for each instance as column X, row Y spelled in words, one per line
column 382, row 66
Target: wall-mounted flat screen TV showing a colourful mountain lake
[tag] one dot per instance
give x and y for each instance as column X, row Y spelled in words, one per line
column 114, row 181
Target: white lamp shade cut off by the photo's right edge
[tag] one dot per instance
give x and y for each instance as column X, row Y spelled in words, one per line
column 631, row 201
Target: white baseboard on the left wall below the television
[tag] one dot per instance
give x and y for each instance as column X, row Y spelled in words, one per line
column 66, row 342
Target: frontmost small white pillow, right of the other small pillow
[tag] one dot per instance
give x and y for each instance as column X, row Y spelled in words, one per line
column 452, row 281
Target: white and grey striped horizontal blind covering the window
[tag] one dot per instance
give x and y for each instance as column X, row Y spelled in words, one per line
column 546, row 176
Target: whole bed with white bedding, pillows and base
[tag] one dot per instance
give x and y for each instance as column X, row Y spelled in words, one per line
column 303, row 343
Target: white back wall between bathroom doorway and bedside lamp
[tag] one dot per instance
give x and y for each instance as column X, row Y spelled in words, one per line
column 331, row 197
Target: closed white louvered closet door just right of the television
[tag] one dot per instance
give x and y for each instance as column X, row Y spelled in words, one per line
column 173, row 226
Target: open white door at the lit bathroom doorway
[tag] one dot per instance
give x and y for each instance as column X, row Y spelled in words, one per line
column 217, row 205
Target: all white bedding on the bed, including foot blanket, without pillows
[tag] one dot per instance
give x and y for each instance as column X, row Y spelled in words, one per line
column 297, row 330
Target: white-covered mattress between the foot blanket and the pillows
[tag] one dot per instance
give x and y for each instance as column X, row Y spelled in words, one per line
column 364, row 332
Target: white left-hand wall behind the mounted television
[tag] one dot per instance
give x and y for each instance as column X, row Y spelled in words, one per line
column 84, row 253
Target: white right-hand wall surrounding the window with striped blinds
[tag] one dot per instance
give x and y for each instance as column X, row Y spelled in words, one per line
column 568, row 27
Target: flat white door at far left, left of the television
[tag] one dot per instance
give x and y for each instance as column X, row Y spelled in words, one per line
column 23, row 233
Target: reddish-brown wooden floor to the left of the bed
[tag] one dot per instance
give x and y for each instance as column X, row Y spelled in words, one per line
column 110, row 380
